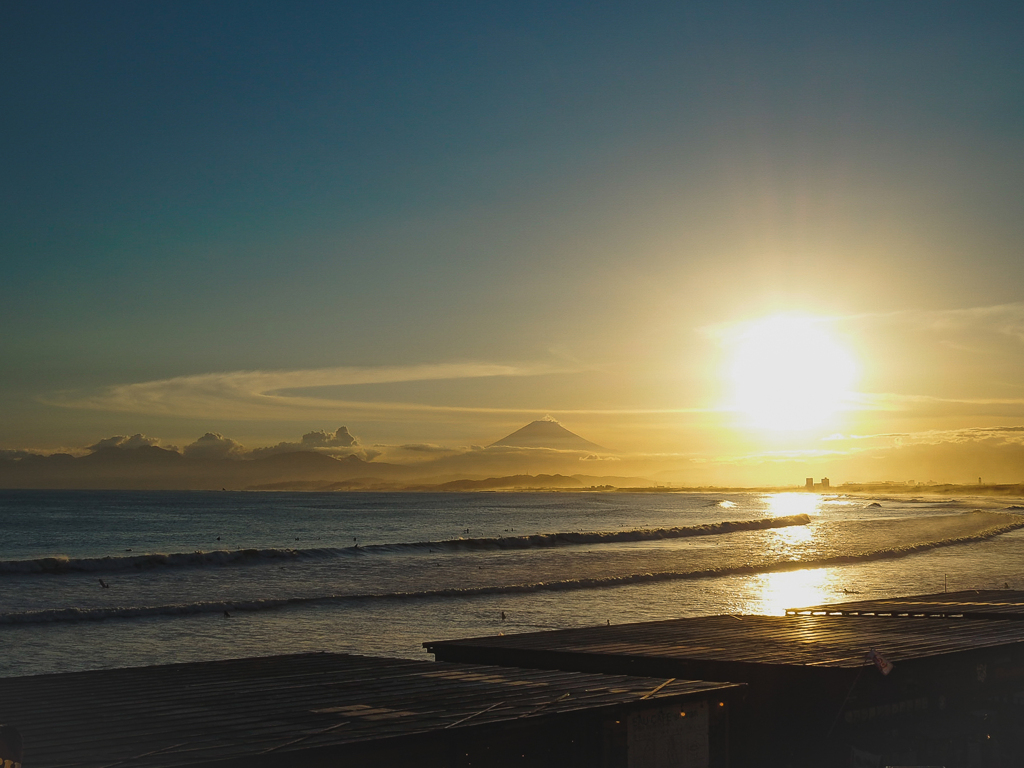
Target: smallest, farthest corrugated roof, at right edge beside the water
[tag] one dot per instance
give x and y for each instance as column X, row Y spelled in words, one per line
column 1007, row 605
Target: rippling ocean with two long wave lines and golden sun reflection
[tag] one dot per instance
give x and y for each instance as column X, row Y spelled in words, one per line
column 97, row 580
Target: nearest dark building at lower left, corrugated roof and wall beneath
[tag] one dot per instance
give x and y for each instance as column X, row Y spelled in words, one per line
column 319, row 710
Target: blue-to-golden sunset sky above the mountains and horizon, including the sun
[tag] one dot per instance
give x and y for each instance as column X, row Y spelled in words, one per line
column 435, row 224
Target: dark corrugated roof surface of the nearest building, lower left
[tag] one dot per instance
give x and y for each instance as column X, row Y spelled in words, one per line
column 193, row 714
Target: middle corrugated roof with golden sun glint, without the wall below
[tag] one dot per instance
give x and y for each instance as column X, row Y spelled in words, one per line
column 801, row 641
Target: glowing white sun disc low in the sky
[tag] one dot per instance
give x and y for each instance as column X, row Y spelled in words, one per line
column 790, row 373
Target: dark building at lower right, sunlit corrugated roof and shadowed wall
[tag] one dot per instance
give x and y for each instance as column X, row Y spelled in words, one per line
column 823, row 690
